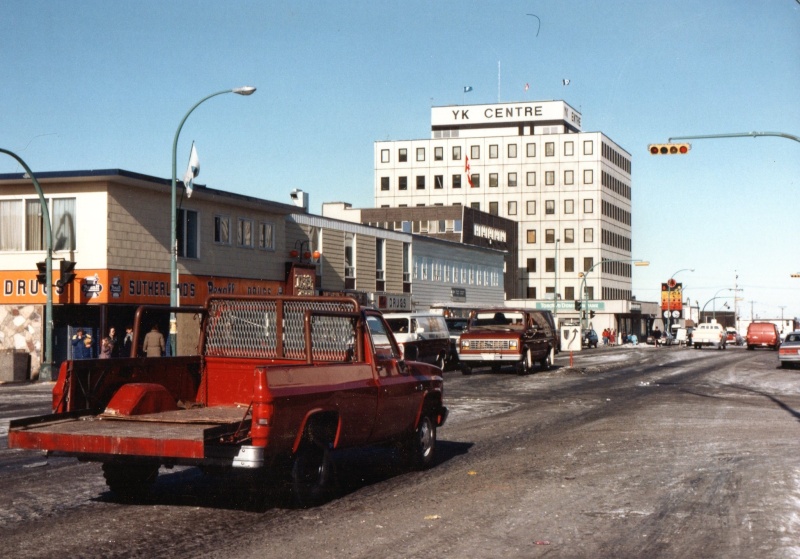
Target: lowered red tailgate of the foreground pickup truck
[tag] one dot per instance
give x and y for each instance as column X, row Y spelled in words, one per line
column 181, row 434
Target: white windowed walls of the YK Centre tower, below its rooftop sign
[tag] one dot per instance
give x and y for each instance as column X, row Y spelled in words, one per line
column 576, row 169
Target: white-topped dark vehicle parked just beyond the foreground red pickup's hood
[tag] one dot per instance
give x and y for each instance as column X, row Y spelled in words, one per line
column 421, row 336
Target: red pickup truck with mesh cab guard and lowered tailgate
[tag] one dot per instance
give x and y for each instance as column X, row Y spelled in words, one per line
column 276, row 383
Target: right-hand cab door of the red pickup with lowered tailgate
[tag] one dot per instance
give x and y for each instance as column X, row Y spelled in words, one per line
column 399, row 398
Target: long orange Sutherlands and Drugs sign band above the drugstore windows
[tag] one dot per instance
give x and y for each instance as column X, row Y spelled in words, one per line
column 126, row 287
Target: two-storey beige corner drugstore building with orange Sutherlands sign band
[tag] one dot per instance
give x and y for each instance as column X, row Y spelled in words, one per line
column 115, row 225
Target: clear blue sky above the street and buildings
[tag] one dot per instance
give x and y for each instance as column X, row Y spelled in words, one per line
column 98, row 84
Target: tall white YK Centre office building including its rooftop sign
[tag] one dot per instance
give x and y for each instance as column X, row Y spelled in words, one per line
column 531, row 162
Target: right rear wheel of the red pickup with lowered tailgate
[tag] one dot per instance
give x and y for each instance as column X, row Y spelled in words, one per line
column 312, row 475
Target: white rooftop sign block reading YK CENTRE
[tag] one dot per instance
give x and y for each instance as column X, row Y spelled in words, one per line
column 505, row 114
